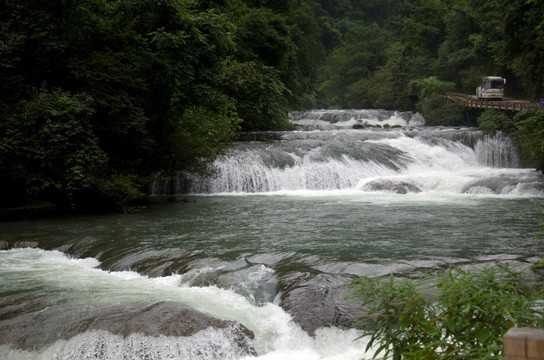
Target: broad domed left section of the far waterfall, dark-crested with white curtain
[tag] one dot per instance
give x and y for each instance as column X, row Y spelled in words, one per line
column 322, row 166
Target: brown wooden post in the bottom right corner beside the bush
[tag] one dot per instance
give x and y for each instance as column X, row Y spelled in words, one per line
column 524, row 344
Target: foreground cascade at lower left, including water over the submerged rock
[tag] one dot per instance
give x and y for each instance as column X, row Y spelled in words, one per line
column 82, row 297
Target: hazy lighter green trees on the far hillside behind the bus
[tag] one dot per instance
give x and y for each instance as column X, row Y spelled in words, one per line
column 456, row 41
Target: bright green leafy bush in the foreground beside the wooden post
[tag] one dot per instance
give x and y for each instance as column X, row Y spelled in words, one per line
column 456, row 315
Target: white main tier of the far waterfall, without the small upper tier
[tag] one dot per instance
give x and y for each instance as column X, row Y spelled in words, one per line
column 426, row 162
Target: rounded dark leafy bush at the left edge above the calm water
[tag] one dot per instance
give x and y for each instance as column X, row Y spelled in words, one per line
column 50, row 148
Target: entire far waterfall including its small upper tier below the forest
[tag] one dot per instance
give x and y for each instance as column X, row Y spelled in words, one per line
column 401, row 159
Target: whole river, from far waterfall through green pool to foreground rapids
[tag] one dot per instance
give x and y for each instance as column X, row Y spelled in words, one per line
column 271, row 242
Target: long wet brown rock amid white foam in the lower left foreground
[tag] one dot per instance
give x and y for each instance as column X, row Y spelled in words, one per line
column 41, row 324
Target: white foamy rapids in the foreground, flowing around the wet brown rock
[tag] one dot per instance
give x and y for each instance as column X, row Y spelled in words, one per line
column 76, row 284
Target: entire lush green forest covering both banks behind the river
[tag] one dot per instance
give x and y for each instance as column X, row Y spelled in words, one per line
column 99, row 96
